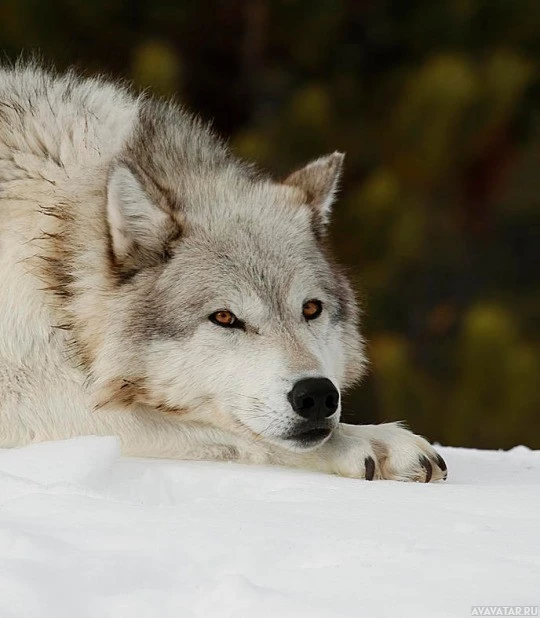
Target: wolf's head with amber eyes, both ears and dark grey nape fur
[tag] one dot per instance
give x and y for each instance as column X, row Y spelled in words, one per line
column 226, row 300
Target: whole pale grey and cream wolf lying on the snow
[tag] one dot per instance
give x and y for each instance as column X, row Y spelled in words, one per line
column 157, row 288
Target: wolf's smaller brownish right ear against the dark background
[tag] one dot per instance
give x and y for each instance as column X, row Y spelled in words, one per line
column 319, row 181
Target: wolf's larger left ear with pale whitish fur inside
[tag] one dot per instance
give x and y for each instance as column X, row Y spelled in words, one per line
column 141, row 232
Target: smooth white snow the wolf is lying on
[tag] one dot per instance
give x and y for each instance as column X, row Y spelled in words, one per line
column 85, row 532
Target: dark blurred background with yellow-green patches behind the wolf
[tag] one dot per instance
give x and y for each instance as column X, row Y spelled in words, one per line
column 437, row 105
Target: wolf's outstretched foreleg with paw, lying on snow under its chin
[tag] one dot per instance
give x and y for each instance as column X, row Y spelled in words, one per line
column 386, row 451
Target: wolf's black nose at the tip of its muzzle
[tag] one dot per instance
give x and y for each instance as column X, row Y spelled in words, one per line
column 314, row 398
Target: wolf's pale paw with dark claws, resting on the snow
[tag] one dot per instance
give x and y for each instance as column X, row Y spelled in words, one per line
column 399, row 455
